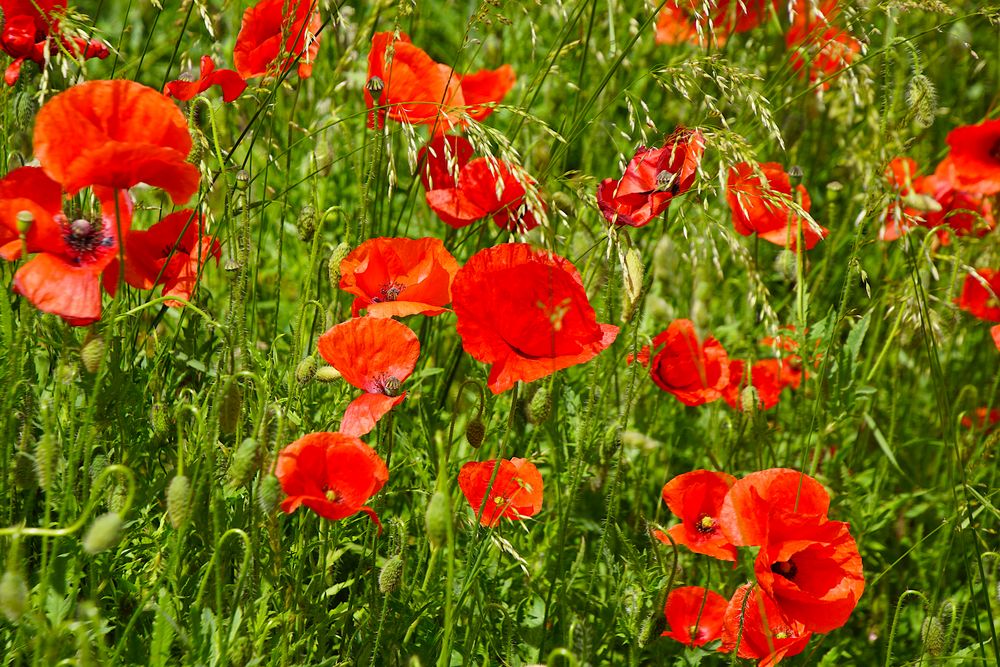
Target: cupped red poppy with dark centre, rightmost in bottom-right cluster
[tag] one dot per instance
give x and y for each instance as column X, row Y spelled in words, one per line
column 811, row 567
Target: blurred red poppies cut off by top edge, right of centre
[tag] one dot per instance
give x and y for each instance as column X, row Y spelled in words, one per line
column 818, row 47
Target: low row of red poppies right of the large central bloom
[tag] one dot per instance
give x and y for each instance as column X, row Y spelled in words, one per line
column 698, row 372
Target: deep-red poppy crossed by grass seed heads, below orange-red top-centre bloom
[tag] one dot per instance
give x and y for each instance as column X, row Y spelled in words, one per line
column 461, row 190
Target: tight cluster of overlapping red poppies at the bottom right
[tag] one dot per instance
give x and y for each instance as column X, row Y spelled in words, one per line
column 807, row 570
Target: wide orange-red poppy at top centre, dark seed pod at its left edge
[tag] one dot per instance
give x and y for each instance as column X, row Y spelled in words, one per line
column 408, row 86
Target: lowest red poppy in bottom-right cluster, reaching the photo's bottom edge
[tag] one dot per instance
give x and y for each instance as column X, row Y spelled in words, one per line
column 755, row 626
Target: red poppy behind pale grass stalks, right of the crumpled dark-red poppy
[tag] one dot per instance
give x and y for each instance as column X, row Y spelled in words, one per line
column 765, row 209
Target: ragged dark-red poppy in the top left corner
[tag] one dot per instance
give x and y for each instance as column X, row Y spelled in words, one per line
column 26, row 28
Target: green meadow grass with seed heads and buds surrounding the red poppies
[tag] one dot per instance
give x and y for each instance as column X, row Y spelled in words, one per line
column 91, row 429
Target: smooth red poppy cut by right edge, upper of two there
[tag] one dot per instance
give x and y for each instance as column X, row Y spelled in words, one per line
column 973, row 165
